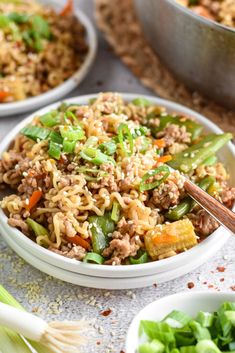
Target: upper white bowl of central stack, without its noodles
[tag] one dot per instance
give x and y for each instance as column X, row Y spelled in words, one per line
column 188, row 260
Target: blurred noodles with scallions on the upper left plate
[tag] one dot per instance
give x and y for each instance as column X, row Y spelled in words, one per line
column 40, row 48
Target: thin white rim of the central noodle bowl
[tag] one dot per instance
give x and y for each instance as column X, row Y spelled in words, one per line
column 121, row 269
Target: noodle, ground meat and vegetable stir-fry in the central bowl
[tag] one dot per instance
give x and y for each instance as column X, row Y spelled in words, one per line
column 91, row 182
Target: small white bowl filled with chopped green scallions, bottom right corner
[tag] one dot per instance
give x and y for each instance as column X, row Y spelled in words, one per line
column 199, row 322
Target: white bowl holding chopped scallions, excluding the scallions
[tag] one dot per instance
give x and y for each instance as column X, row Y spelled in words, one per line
column 190, row 303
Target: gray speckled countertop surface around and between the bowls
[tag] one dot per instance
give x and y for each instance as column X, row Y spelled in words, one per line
column 54, row 299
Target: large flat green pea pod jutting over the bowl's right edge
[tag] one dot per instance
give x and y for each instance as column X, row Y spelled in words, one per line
column 193, row 156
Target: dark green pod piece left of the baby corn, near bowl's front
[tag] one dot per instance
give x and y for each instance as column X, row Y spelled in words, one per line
column 101, row 226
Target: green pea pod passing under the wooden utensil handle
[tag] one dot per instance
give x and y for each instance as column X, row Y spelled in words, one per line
column 187, row 204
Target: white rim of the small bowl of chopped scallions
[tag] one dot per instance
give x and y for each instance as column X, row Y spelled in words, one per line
column 181, row 295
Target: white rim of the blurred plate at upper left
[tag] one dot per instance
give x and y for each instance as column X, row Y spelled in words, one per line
column 67, row 86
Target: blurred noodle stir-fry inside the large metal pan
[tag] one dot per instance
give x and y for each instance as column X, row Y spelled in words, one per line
column 222, row 11
